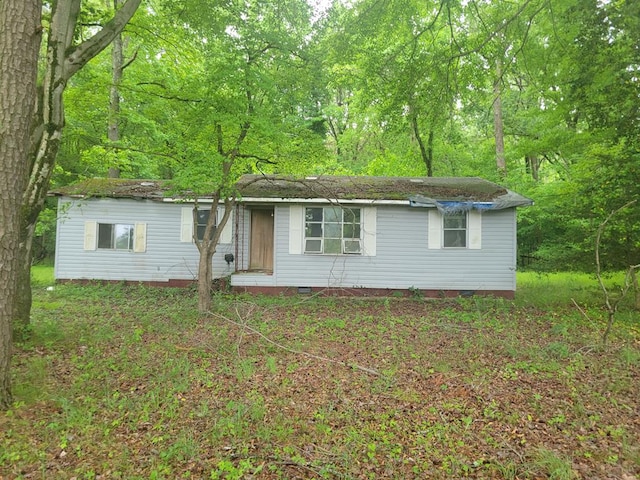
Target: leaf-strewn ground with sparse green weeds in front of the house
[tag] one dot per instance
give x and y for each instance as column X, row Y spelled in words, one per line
column 128, row 382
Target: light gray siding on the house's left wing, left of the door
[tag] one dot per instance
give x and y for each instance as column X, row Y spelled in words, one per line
column 165, row 257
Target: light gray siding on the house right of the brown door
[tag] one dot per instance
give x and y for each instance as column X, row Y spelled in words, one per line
column 402, row 259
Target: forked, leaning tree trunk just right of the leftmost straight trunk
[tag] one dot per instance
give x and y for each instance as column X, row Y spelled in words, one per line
column 64, row 59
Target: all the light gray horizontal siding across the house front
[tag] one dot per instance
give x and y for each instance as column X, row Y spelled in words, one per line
column 403, row 259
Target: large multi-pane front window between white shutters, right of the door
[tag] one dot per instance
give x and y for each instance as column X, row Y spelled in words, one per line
column 332, row 230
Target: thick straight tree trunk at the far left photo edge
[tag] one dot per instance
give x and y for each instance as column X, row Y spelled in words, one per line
column 20, row 32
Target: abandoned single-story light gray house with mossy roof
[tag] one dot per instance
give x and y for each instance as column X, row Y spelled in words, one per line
column 339, row 234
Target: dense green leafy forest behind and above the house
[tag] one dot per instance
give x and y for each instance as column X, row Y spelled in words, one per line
column 541, row 96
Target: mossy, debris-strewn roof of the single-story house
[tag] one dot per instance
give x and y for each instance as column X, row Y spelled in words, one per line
column 419, row 191
